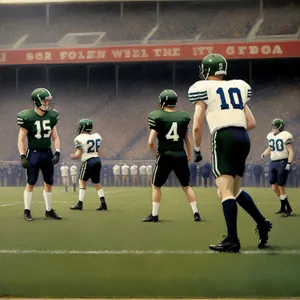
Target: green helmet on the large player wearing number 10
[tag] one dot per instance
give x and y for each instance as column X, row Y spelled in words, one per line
column 212, row 65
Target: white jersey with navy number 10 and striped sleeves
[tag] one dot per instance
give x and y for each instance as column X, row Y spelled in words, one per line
column 225, row 101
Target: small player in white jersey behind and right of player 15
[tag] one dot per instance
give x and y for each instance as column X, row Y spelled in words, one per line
column 88, row 148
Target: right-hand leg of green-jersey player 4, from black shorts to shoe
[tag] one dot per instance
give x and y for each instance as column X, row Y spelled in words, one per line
column 182, row 172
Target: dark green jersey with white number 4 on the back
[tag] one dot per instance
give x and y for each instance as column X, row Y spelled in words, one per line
column 171, row 128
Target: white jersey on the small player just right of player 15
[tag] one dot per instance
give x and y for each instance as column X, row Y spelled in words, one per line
column 89, row 143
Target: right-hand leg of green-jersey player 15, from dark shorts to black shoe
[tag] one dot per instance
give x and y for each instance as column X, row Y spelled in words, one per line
column 47, row 170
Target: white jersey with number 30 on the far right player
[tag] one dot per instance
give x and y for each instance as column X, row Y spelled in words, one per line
column 277, row 144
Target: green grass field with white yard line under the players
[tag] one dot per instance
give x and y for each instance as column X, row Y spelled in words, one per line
column 114, row 254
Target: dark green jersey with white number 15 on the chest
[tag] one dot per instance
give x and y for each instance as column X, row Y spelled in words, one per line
column 39, row 127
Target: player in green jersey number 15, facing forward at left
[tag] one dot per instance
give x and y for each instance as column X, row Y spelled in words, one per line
column 38, row 125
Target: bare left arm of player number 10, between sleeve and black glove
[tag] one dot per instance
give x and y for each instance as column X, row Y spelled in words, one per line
column 200, row 108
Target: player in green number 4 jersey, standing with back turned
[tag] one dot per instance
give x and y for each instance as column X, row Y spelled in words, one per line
column 170, row 127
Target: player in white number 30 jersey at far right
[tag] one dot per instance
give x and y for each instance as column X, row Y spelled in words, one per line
column 282, row 155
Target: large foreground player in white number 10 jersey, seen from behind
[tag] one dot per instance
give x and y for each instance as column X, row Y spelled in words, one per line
column 224, row 105
